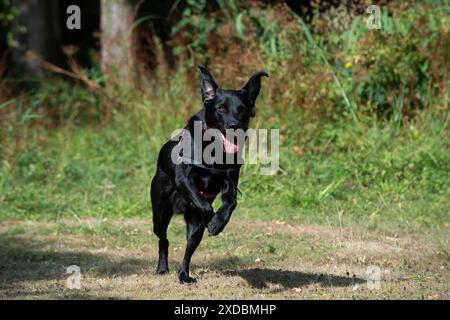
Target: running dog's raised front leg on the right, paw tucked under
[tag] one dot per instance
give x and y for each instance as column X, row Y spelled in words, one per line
column 223, row 215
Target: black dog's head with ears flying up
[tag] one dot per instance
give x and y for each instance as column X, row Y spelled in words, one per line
column 229, row 109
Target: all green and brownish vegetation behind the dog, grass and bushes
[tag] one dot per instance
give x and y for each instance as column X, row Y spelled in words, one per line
column 363, row 115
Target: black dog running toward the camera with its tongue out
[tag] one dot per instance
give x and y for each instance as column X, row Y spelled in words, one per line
column 191, row 187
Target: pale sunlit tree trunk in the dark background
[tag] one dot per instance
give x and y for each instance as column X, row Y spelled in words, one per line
column 117, row 53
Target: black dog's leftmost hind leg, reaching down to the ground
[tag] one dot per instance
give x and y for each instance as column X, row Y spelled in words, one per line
column 162, row 213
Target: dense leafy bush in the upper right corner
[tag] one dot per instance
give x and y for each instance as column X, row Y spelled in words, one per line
column 398, row 62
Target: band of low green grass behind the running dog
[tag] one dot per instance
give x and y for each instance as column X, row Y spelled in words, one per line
column 373, row 175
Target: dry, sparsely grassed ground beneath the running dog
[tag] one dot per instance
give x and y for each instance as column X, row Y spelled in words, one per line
column 250, row 260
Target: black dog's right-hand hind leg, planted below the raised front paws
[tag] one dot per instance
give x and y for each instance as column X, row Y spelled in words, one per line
column 195, row 230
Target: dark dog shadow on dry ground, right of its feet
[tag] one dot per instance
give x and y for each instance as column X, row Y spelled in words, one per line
column 262, row 278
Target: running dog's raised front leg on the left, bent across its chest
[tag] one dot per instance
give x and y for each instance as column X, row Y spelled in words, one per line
column 185, row 185
